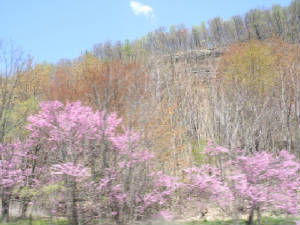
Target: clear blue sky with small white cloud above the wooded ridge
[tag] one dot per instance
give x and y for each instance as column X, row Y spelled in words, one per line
column 50, row 30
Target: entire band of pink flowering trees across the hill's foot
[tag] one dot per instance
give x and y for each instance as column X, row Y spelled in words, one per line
column 98, row 170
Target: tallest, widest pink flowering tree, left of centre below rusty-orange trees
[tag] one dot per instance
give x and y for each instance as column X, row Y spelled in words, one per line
column 104, row 169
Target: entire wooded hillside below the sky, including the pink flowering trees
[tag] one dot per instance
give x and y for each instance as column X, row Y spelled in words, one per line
column 198, row 122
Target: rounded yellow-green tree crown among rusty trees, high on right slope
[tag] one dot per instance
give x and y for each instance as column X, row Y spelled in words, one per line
column 250, row 66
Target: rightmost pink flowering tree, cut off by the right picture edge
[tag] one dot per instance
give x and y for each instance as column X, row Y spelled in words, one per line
column 264, row 182
